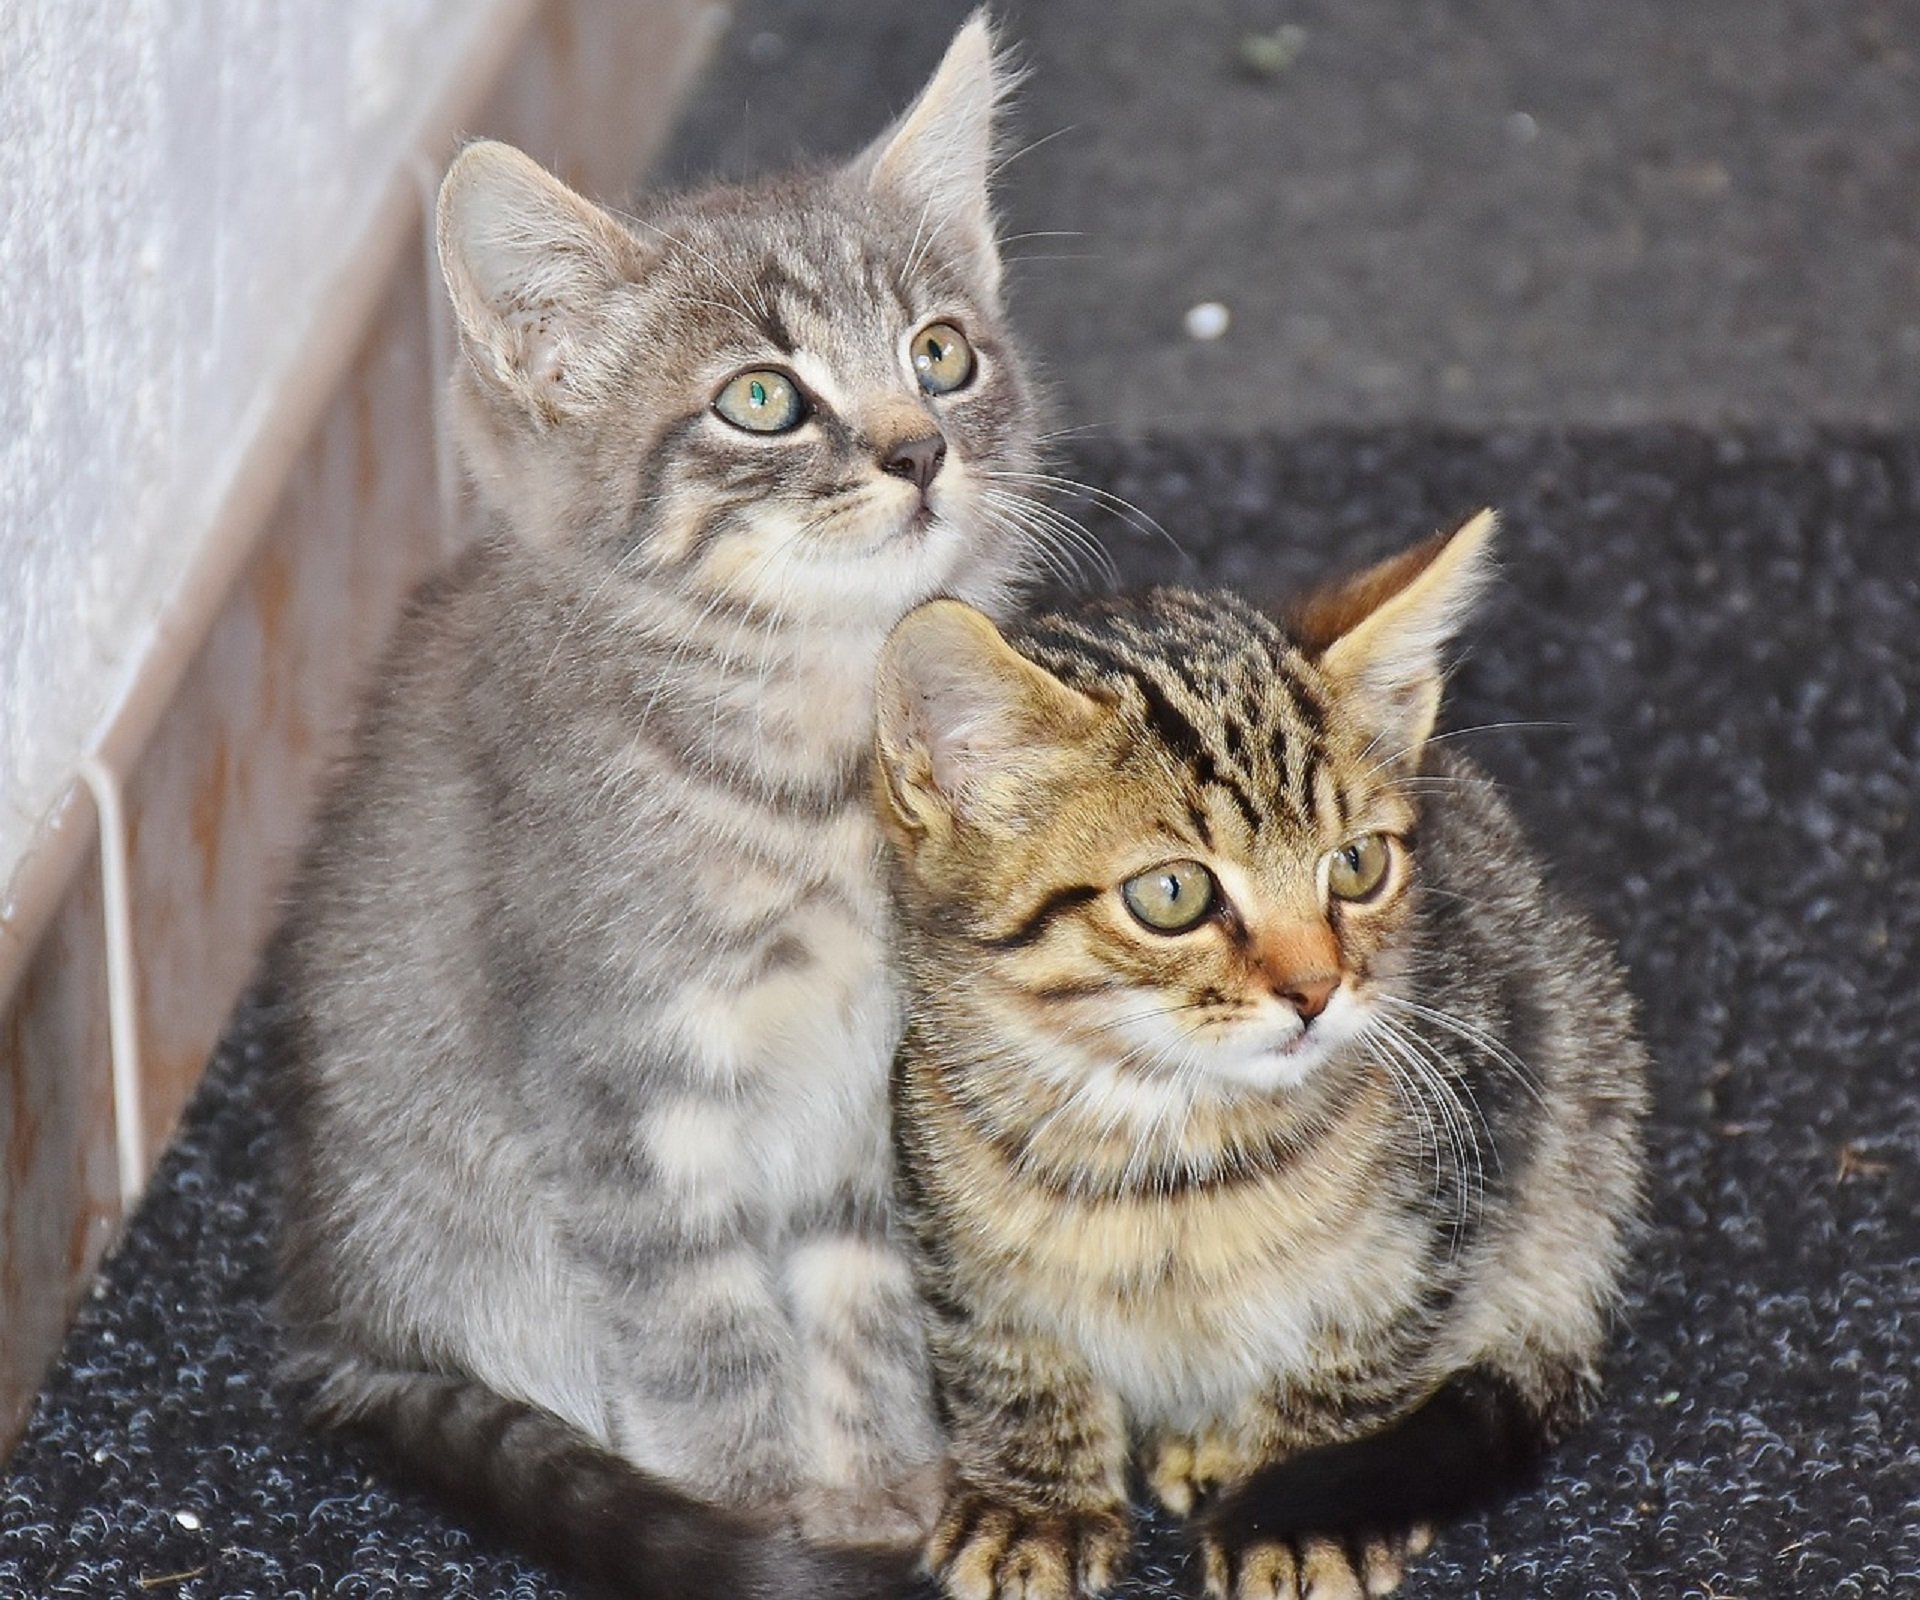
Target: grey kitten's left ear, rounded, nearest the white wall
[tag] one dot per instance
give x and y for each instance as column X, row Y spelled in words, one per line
column 529, row 268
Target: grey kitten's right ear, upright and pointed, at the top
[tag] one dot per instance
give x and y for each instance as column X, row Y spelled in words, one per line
column 938, row 157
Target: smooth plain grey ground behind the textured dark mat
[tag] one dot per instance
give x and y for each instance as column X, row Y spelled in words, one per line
column 1466, row 212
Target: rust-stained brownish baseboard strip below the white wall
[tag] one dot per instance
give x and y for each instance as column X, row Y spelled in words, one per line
column 220, row 796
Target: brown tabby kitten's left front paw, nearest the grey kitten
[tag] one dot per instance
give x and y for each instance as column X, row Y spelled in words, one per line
column 990, row 1551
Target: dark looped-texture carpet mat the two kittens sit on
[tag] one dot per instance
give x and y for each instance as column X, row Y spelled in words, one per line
column 1723, row 633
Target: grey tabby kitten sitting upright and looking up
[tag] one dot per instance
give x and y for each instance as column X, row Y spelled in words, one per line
column 587, row 990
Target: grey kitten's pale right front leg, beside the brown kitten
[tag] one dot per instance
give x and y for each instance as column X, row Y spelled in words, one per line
column 869, row 1440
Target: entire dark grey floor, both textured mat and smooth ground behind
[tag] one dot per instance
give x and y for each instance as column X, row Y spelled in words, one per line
column 1714, row 220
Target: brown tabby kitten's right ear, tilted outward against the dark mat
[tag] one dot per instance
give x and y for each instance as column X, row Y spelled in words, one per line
column 1383, row 633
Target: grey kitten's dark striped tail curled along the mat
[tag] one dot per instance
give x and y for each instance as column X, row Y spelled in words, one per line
column 548, row 1490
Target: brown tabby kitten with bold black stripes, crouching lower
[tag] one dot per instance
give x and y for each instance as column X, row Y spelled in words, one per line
column 1260, row 1109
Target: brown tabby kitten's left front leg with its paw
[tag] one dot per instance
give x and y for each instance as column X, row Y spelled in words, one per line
column 1038, row 1509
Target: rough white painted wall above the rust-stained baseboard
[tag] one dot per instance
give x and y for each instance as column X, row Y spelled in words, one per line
column 181, row 185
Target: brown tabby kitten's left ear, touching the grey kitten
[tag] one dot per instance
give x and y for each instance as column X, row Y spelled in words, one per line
column 965, row 723
